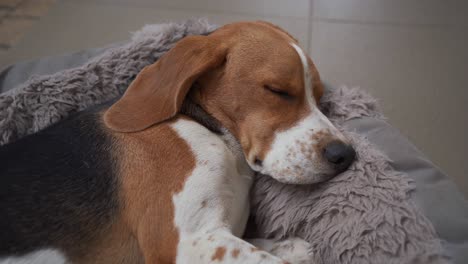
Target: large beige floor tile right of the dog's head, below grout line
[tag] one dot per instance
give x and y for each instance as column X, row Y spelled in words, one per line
column 419, row 74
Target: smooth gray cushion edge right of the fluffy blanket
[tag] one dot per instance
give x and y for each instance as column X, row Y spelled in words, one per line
column 436, row 195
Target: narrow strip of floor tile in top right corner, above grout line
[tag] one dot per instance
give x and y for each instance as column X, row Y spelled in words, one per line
column 421, row 12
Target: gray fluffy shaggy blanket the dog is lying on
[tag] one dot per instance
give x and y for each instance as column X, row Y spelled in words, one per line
column 365, row 215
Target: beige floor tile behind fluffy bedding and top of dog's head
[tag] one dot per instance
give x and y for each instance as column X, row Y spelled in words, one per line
column 71, row 26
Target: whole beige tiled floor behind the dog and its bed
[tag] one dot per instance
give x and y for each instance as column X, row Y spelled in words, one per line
column 411, row 54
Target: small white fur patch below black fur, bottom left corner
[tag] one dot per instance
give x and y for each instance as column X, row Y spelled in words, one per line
column 46, row 256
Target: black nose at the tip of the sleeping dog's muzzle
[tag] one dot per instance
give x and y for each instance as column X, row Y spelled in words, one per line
column 339, row 155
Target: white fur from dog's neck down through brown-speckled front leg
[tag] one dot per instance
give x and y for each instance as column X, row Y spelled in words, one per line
column 212, row 209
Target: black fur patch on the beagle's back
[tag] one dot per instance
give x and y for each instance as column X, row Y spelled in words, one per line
column 58, row 187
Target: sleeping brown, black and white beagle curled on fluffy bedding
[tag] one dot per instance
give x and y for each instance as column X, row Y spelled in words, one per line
column 163, row 174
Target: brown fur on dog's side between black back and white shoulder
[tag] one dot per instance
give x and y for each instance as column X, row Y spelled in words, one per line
column 154, row 165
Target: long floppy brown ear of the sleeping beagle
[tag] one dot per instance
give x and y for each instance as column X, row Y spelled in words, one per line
column 159, row 89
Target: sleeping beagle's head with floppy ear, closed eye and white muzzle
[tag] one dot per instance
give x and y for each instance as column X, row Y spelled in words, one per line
column 259, row 84
